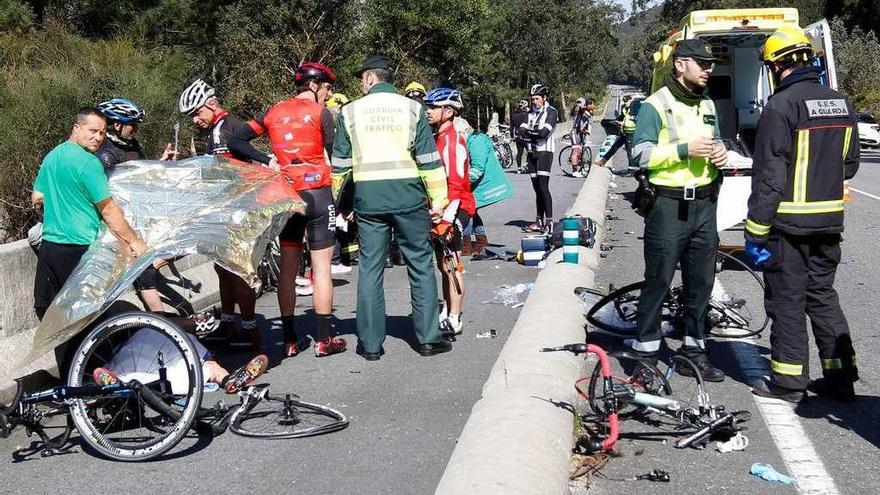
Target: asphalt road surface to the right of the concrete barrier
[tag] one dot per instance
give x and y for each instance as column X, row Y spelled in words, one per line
column 832, row 447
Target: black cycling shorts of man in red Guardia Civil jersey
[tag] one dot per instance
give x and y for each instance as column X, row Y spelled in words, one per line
column 318, row 224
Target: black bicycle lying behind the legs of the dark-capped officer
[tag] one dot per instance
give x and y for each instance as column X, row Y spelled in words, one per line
column 730, row 313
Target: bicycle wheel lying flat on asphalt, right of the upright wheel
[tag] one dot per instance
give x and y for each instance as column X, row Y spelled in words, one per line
column 263, row 415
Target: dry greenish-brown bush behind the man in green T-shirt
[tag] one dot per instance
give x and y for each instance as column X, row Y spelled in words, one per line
column 46, row 75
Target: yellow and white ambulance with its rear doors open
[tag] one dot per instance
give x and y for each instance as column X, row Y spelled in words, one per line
column 741, row 84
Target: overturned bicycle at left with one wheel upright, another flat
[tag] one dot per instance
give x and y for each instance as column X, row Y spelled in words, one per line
column 155, row 401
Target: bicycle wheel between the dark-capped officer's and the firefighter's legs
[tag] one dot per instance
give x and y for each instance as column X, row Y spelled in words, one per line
column 736, row 307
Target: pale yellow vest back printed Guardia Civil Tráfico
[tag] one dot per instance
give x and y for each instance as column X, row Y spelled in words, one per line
column 382, row 127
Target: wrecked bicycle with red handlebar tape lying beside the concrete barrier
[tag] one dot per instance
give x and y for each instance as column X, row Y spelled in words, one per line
column 613, row 394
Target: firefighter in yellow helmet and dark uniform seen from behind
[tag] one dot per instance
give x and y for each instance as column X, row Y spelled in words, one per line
column 806, row 145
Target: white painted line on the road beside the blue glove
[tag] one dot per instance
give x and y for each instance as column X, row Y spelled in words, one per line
column 792, row 442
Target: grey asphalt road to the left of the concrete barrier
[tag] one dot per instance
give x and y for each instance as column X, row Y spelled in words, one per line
column 406, row 411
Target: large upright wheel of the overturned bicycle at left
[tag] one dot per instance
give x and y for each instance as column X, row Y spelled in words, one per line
column 159, row 391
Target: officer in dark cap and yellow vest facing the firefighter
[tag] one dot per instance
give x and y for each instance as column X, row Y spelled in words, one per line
column 675, row 142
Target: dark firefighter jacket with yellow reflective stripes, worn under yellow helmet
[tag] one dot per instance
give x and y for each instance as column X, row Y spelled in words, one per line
column 806, row 145
